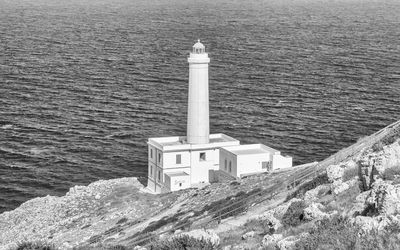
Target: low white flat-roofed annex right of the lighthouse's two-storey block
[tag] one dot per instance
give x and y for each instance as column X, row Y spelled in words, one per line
column 242, row 160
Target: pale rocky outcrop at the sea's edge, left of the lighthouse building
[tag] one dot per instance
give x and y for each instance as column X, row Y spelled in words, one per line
column 53, row 217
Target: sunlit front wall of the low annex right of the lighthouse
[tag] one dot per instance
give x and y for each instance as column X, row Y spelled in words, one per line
column 251, row 163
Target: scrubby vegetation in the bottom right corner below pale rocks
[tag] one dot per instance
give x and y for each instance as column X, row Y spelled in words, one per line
column 339, row 233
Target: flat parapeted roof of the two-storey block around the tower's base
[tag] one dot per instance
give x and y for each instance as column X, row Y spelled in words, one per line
column 176, row 143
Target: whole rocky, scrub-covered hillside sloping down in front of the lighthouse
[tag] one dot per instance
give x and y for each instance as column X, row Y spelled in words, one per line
column 355, row 190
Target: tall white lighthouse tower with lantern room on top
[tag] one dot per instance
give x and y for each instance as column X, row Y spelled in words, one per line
column 198, row 124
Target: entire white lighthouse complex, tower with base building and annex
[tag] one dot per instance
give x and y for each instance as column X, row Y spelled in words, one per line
column 179, row 162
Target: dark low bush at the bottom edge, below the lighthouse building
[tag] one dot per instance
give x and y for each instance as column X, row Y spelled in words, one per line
column 182, row 242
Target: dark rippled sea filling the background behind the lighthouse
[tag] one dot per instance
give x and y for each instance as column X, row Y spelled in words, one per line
column 83, row 84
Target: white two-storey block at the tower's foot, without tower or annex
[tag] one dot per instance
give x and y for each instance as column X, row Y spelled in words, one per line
column 171, row 155
